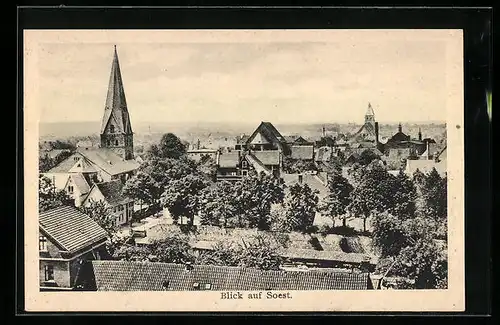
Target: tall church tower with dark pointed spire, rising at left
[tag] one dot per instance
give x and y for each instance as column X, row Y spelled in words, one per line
column 116, row 130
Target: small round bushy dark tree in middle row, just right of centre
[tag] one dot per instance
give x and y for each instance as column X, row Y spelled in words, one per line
column 301, row 207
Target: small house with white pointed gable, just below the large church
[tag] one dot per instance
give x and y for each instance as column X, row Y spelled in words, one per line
column 110, row 193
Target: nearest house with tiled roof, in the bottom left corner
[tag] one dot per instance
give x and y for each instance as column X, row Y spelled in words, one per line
column 66, row 238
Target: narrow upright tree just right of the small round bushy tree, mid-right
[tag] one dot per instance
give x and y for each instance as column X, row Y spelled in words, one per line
column 338, row 198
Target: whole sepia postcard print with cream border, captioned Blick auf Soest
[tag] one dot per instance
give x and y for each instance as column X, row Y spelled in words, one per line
column 244, row 170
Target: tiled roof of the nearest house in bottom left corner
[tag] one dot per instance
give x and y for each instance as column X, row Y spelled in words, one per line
column 70, row 228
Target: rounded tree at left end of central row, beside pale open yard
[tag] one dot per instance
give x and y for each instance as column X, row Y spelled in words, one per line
column 182, row 196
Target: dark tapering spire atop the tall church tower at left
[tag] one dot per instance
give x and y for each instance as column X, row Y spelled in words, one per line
column 116, row 105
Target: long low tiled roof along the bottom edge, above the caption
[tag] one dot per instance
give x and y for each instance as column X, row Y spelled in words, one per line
column 138, row 276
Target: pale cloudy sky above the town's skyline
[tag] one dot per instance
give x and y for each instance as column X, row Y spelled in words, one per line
column 282, row 81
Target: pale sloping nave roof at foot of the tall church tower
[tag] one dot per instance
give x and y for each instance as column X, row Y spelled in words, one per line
column 109, row 161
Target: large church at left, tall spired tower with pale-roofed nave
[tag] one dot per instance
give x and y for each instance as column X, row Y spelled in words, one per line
column 114, row 159
